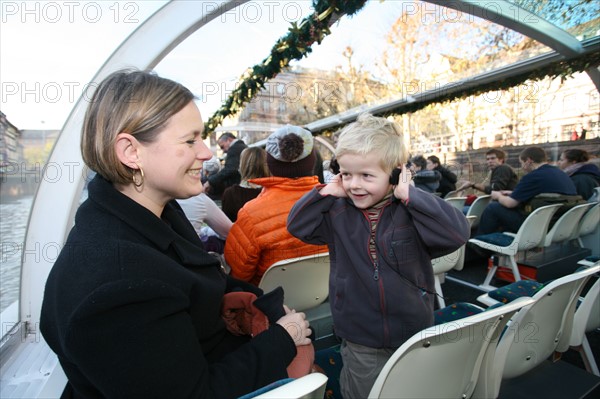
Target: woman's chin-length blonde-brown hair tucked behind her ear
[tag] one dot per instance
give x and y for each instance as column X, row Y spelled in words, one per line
column 127, row 101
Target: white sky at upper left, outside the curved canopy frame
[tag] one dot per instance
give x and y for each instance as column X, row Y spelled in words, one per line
column 49, row 51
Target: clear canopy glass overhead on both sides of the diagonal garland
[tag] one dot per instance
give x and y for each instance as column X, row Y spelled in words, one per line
column 387, row 51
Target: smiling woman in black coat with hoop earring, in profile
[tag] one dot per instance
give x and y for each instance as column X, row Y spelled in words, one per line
column 132, row 306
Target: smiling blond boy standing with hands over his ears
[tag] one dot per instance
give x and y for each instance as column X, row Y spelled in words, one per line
column 381, row 239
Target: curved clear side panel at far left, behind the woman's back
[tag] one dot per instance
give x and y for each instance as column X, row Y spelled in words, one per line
column 41, row 80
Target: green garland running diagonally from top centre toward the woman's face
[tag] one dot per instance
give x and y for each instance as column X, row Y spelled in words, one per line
column 293, row 46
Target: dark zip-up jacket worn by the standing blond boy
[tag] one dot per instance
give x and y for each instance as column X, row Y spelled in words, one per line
column 384, row 304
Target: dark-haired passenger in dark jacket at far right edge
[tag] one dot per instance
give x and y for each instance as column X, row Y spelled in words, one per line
column 585, row 176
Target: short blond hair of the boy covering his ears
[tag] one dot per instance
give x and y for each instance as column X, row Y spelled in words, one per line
column 371, row 133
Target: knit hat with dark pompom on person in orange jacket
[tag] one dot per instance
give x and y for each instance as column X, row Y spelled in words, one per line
column 290, row 152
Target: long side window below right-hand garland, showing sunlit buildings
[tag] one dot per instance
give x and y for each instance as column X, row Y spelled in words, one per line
column 540, row 112
